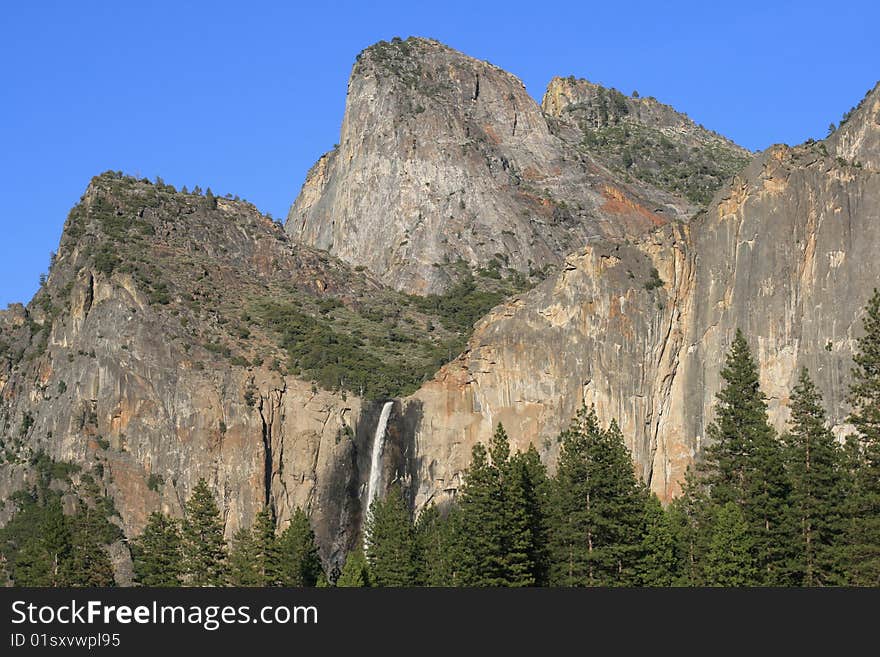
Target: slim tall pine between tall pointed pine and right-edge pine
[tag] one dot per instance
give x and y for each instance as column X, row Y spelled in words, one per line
column 814, row 462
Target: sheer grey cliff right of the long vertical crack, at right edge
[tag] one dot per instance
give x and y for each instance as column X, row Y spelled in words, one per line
column 786, row 255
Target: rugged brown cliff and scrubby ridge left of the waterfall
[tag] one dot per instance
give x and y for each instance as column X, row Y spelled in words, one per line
column 139, row 362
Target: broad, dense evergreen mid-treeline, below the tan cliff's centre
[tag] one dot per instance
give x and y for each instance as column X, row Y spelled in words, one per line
column 597, row 516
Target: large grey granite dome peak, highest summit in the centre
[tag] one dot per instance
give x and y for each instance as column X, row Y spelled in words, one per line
column 443, row 157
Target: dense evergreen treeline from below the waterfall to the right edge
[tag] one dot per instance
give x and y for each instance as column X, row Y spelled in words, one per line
column 757, row 509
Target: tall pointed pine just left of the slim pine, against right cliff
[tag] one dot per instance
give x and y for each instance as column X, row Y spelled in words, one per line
column 744, row 464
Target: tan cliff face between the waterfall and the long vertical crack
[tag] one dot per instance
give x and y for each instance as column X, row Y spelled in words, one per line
column 595, row 333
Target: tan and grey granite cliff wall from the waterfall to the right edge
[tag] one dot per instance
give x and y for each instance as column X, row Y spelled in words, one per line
column 785, row 252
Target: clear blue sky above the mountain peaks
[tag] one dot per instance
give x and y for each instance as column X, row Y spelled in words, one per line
column 243, row 97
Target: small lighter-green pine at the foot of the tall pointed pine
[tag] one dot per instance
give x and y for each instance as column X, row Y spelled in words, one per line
column 729, row 560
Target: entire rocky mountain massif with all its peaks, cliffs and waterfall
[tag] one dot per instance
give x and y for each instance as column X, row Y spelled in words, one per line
column 463, row 257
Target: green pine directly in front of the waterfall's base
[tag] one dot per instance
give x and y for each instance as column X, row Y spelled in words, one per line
column 390, row 541
